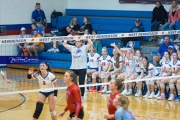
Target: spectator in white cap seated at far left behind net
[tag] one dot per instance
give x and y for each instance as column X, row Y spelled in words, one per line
column 20, row 46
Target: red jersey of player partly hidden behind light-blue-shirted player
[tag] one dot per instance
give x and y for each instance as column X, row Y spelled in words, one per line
column 111, row 108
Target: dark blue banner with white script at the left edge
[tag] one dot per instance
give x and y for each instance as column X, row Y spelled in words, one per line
column 19, row 60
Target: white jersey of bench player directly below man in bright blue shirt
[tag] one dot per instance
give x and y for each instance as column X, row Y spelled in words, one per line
column 165, row 65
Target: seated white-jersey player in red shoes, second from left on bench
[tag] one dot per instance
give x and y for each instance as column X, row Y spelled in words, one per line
column 103, row 71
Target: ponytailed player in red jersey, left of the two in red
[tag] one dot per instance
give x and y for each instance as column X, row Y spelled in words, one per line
column 73, row 97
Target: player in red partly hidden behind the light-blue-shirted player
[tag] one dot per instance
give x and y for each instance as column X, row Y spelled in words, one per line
column 115, row 86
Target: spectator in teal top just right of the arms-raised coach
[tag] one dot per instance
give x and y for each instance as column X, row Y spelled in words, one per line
column 96, row 43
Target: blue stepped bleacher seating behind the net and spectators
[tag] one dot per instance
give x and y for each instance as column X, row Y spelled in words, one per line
column 105, row 22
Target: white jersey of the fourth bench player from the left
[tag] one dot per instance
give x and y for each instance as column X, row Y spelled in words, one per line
column 129, row 65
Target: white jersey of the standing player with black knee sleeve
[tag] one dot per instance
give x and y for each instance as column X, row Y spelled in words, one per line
column 45, row 82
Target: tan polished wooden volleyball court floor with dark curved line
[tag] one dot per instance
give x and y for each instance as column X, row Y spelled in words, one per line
column 21, row 106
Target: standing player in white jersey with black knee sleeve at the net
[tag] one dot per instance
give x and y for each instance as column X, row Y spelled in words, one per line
column 47, row 80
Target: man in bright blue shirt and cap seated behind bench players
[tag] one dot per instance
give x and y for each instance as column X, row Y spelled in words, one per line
column 164, row 47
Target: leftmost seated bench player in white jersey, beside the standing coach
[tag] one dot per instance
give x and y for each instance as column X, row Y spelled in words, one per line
column 93, row 61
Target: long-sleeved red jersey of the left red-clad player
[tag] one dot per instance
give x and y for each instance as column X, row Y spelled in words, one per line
column 73, row 99
